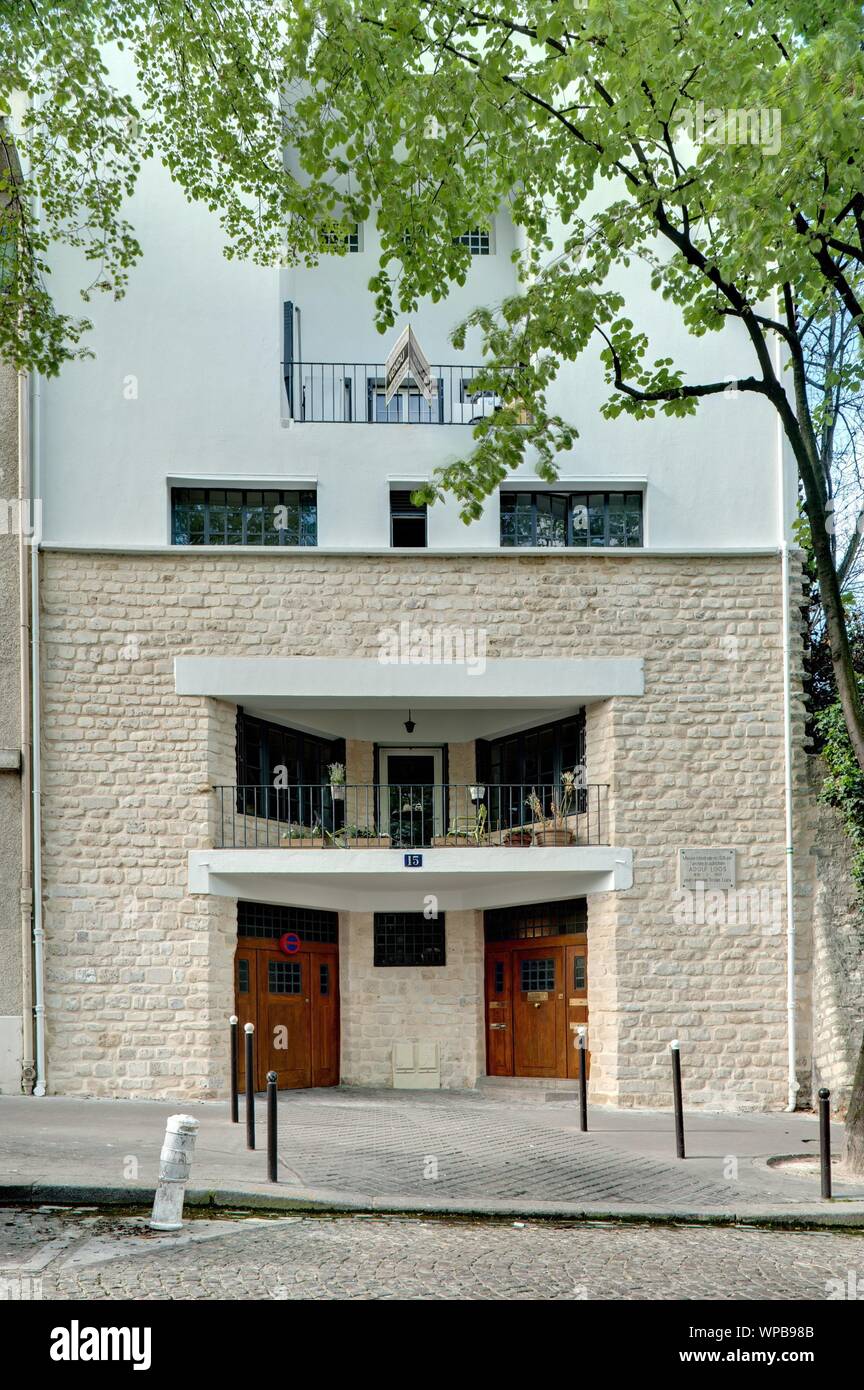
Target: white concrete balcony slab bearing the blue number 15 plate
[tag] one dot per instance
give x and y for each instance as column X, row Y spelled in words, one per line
column 369, row 881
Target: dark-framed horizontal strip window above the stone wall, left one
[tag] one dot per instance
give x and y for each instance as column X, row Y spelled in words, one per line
column 244, row 516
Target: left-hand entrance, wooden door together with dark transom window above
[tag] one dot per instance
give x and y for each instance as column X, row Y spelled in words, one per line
column 291, row 996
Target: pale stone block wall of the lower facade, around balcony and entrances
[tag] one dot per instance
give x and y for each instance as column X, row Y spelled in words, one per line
column 135, row 1007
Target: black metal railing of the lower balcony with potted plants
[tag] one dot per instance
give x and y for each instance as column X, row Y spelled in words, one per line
column 408, row 817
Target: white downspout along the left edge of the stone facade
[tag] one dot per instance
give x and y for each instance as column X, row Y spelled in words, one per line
column 37, row 728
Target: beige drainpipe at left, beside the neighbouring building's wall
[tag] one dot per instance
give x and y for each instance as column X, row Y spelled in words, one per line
column 26, row 740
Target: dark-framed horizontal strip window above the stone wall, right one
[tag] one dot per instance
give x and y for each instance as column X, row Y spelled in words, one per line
column 572, row 519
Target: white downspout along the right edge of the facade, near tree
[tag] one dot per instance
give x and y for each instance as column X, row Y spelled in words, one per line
column 790, row 850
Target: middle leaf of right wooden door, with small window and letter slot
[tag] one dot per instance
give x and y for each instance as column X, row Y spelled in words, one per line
column 540, row 1031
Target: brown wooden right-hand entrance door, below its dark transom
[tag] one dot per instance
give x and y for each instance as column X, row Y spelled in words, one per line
column 535, row 999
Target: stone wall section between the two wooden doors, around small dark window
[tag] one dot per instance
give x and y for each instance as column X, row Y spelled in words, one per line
column 394, row 1004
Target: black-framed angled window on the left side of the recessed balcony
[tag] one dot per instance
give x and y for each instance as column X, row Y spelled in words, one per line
column 283, row 775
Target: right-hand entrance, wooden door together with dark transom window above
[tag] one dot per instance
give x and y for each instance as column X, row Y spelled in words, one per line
column 537, row 989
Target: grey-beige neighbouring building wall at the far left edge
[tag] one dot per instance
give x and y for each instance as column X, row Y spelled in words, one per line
column 10, row 747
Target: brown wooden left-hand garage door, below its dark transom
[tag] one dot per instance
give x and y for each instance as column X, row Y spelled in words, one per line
column 294, row 1003
